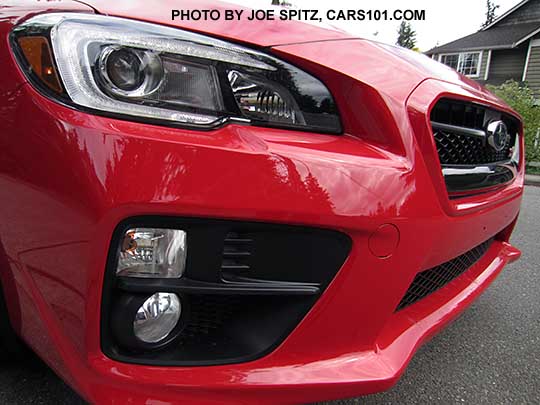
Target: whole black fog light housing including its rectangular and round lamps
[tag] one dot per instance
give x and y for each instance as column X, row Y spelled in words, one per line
column 242, row 288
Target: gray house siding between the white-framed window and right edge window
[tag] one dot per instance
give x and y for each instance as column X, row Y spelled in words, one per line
column 507, row 64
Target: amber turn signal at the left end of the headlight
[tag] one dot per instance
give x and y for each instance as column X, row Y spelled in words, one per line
column 37, row 52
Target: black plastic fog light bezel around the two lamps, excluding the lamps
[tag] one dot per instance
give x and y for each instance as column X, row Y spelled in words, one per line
column 290, row 298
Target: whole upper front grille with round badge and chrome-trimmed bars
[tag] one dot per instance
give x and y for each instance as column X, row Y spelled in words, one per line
column 475, row 145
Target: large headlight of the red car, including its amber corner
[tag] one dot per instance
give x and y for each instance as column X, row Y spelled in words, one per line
column 134, row 69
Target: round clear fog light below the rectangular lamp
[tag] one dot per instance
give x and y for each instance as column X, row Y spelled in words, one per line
column 157, row 317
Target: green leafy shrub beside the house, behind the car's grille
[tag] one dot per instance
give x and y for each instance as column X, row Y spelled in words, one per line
column 520, row 98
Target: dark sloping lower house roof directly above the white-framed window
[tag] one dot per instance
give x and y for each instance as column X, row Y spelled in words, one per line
column 497, row 37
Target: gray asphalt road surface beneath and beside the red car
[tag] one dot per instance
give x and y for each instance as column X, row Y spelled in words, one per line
column 490, row 355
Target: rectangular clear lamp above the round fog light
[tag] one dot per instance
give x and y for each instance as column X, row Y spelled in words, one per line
column 152, row 253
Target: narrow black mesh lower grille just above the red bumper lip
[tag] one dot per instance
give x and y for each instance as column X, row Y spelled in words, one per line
column 433, row 279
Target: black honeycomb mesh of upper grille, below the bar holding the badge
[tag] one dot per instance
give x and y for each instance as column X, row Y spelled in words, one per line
column 457, row 149
